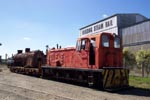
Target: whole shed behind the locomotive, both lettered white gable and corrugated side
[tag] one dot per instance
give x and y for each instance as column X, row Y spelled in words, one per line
column 133, row 28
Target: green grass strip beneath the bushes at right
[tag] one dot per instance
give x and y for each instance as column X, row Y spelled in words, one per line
column 140, row 82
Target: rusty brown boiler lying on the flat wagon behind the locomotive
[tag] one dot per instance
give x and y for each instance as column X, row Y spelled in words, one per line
column 29, row 59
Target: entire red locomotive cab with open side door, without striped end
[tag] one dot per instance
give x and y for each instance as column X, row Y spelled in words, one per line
column 102, row 50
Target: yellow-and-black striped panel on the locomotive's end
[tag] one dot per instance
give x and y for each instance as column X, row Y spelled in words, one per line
column 114, row 78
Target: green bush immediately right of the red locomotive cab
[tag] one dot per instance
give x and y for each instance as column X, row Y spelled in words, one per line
column 129, row 57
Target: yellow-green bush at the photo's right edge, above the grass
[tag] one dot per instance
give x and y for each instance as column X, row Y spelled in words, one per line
column 143, row 61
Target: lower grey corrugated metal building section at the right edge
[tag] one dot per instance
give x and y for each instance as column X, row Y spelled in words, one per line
column 137, row 36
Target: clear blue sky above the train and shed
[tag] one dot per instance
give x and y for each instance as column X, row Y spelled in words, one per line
column 36, row 23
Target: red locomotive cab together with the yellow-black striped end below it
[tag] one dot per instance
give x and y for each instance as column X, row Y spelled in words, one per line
column 104, row 53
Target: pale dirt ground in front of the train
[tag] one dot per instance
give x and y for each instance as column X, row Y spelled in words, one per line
column 20, row 87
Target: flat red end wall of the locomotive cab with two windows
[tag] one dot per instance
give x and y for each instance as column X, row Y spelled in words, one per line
column 111, row 51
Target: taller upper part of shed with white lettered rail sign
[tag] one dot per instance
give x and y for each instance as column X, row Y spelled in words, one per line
column 112, row 24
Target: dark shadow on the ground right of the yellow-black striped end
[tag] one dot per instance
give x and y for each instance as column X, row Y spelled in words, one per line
column 135, row 91
